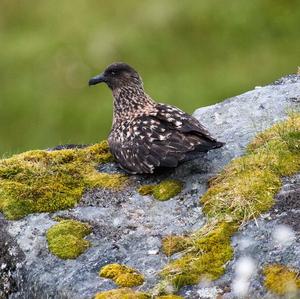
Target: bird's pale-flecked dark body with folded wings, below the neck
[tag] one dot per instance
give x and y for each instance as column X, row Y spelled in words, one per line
column 162, row 137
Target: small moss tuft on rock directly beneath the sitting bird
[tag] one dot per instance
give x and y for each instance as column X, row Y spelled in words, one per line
column 163, row 191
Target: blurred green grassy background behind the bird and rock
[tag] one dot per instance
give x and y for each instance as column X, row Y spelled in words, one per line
column 189, row 53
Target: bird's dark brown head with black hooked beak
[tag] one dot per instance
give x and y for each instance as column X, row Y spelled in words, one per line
column 118, row 75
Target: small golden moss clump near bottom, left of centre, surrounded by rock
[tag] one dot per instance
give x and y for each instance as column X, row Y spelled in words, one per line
column 122, row 275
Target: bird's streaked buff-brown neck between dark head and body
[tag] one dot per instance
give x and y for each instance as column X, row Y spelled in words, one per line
column 131, row 101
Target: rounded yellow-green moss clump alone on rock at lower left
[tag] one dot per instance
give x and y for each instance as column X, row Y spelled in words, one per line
column 66, row 239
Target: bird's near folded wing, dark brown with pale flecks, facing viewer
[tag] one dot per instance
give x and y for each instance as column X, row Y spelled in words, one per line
column 150, row 143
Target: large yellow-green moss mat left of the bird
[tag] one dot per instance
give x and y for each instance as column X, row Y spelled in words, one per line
column 47, row 181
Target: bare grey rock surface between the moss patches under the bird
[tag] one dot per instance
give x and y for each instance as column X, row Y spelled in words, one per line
column 128, row 227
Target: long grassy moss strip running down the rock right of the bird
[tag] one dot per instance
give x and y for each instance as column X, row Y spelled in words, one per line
column 242, row 191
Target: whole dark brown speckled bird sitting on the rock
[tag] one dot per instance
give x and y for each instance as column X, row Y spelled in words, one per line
column 147, row 135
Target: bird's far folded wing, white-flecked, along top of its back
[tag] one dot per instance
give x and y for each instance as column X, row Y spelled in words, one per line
column 181, row 121
